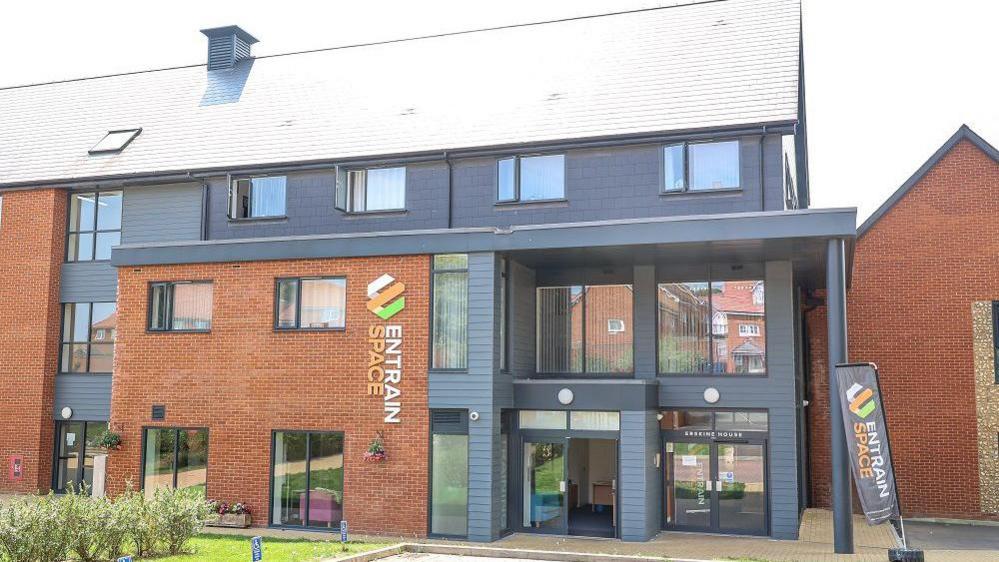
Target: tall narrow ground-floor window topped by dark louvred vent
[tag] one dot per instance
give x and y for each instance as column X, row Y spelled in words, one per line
column 449, row 473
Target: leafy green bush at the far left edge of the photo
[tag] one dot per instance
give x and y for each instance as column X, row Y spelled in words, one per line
column 31, row 530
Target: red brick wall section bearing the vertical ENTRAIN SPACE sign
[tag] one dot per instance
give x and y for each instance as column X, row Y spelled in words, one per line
column 243, row 380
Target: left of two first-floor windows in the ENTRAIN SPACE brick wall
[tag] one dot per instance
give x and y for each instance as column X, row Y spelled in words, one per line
column 184, row 306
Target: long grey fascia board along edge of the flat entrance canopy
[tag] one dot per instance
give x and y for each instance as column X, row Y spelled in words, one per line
column 815, row 223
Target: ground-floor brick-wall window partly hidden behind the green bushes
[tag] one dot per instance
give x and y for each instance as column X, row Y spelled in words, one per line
column 174, row 458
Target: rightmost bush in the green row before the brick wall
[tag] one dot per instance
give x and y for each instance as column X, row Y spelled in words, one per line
column 179, row 515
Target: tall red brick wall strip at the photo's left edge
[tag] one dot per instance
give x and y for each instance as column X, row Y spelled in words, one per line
column 32, row 242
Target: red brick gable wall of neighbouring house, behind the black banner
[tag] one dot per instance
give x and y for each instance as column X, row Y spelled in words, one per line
column 916, row 273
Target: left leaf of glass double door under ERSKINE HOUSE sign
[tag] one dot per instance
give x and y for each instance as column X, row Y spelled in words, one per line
column 688, row 494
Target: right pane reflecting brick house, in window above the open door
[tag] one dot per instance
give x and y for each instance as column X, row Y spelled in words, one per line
column 609, row 335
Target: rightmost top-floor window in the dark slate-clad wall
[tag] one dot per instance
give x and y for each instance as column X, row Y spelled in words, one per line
column 701, row 166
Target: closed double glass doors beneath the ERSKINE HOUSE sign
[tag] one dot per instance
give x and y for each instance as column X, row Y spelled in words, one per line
column 718, row 487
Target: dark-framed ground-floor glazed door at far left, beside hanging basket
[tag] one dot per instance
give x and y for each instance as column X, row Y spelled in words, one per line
column 75, row 450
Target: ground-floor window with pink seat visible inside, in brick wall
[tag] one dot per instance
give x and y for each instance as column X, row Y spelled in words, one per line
column 307, row 485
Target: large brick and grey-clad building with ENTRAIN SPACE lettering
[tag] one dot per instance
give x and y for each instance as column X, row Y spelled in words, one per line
column 562, row 294
